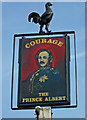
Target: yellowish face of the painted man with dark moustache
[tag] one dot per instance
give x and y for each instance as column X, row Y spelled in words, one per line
column 43, row 58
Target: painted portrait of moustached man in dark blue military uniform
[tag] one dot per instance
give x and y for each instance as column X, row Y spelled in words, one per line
column 46, row 79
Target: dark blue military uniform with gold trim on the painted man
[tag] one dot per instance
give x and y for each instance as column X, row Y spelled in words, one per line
column 44, row 80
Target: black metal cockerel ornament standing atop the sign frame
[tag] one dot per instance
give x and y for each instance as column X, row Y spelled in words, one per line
column 44, row 19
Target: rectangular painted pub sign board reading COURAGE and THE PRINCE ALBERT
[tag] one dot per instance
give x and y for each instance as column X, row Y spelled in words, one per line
column 44, row 69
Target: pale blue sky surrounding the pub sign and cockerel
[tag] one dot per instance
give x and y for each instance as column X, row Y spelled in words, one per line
column 67, row 16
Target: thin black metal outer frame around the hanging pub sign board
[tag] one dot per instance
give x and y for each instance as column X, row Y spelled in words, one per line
column 36, row 34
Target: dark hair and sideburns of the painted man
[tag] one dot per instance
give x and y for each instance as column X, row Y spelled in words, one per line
column 50, row 59
